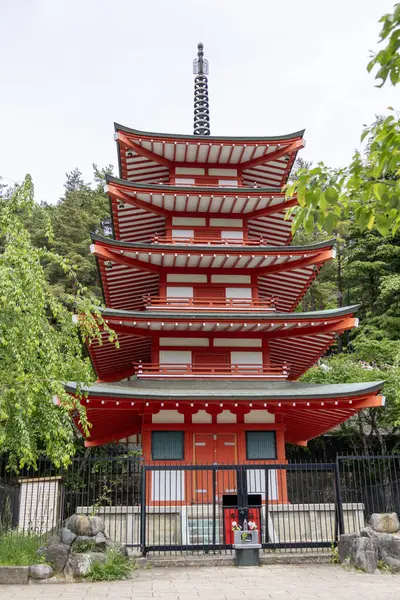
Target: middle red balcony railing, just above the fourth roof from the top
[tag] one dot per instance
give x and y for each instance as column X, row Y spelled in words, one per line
column 264, row 304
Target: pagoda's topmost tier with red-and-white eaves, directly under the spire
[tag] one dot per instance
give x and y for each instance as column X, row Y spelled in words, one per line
column 158, row 157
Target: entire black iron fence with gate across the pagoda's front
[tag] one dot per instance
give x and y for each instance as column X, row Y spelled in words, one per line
column 185, row 508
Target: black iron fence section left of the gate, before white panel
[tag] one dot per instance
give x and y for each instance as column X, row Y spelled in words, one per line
column 38, row 501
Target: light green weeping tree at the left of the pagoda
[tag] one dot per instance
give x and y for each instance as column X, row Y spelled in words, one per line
column 40, row 345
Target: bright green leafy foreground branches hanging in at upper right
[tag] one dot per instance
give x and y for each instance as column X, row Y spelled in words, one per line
column 368, row 190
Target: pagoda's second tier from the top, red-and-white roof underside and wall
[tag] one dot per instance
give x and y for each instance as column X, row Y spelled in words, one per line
column 142, row 211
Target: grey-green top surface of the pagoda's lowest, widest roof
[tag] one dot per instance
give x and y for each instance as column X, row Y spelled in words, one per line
column 179, row 389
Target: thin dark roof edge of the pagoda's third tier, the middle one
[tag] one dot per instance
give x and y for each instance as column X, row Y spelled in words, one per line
column 209, row 247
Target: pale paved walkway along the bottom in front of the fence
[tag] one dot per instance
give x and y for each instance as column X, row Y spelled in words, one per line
column 289, row 582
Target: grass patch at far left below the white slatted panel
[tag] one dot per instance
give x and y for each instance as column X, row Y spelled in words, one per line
column 19, row 550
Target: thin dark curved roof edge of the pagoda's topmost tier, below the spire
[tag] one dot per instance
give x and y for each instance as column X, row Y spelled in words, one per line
column 207, row 138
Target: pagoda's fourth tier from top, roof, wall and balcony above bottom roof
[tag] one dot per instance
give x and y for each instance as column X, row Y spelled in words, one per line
column 251, row 343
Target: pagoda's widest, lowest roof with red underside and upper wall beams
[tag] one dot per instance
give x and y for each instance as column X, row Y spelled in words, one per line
column 291, row 412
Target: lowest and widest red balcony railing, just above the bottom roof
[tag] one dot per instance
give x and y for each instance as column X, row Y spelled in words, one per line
column 232, row 371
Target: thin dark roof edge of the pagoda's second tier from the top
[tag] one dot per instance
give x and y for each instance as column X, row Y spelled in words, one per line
column 198, row 189
